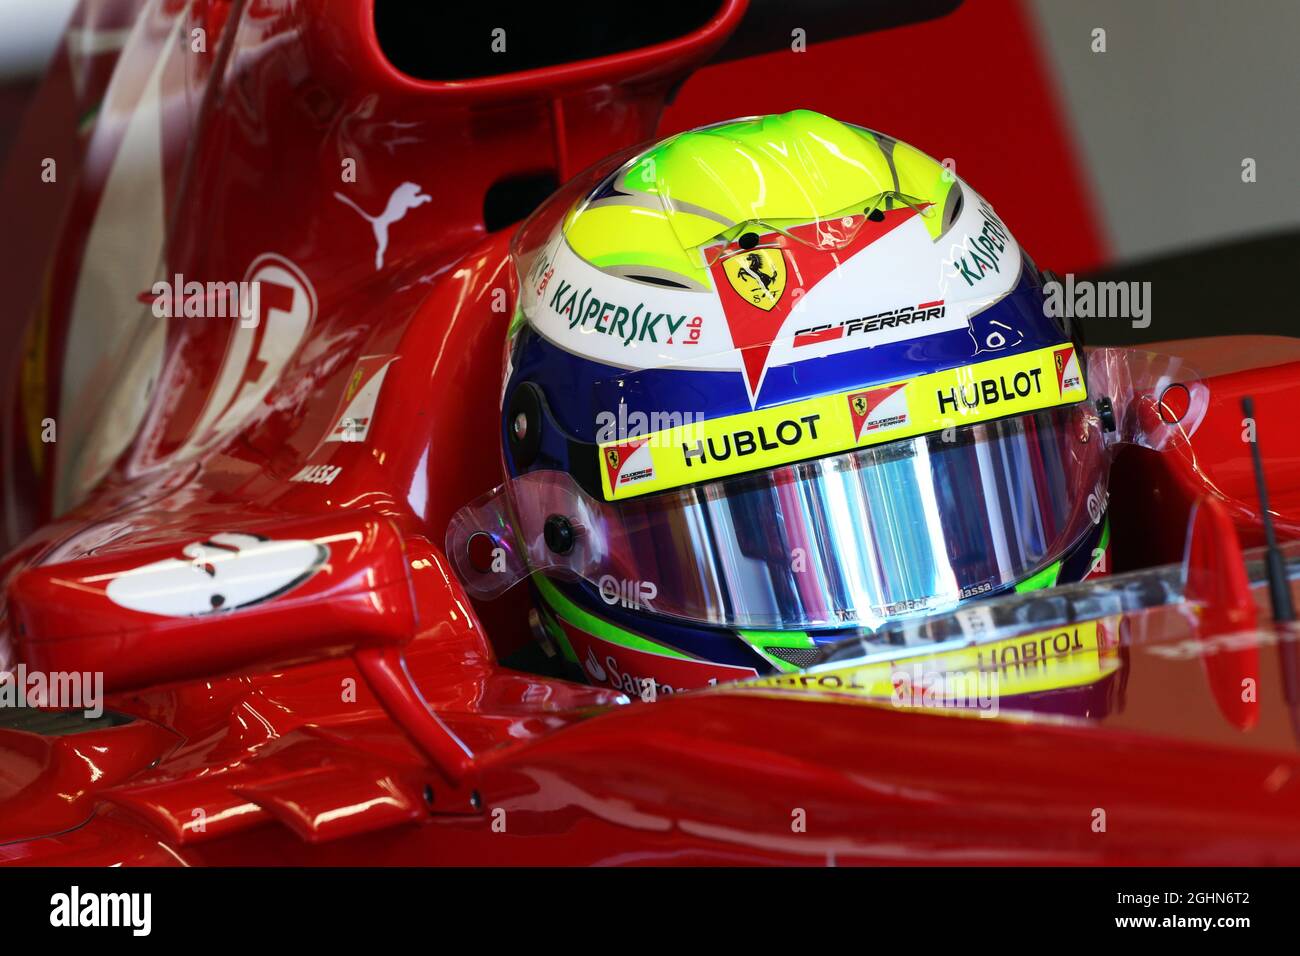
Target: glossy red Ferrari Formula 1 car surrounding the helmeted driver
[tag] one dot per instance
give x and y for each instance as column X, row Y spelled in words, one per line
column 231, row 521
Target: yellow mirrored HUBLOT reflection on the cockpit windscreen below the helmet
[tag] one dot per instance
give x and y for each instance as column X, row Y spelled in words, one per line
column 1073, row 656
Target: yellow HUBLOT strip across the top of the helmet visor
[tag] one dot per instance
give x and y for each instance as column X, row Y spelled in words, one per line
column 831, row 425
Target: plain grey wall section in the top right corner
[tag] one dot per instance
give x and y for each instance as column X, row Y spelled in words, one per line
column 1185, row 92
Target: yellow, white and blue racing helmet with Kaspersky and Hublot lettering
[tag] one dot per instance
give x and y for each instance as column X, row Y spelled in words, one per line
column 772, row 383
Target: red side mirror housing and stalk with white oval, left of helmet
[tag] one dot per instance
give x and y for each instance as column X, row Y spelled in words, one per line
column 268, row 594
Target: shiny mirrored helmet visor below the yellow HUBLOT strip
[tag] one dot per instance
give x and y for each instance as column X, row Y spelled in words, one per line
column 848, row 540
